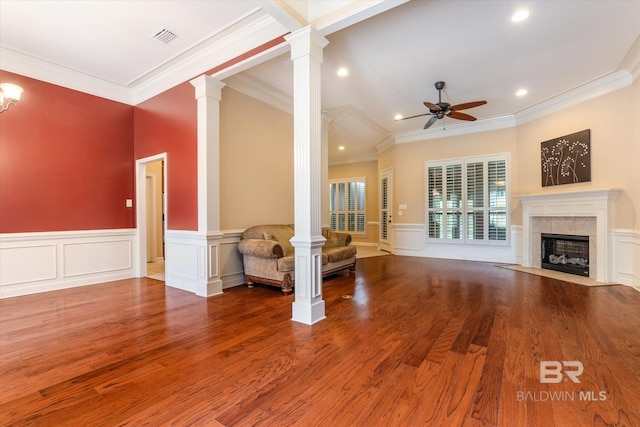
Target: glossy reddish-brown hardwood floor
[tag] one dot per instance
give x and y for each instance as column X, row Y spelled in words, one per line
column 420, row 342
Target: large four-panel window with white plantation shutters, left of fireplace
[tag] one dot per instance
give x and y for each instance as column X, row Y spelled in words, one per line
column 466, row 200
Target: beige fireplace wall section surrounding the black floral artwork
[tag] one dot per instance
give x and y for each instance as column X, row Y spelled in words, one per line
column 613, row 122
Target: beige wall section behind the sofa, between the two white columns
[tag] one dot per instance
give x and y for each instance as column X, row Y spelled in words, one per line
column 256, row 163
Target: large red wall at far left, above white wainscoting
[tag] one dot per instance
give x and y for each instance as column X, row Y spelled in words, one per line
column 66, row 160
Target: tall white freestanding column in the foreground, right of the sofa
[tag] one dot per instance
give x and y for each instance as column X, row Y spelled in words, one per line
column 306, row 53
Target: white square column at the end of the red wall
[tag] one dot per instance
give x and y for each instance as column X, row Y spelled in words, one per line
column 208, row 93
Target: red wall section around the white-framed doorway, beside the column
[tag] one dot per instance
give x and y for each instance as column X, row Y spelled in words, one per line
column 168, row 123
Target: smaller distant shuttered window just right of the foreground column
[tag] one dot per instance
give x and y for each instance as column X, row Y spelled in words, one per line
column 347, row 205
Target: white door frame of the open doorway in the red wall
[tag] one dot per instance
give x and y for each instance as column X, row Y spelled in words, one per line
column 140, row 256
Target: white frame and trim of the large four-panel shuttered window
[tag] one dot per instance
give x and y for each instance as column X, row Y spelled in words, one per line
column 464, row 161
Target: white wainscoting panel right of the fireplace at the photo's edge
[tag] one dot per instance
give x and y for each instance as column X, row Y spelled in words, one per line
column 626, row 257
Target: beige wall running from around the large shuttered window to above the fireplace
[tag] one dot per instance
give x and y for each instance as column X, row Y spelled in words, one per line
column 615, row 162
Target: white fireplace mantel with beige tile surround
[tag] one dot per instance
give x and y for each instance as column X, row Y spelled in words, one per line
column 583, row 213
